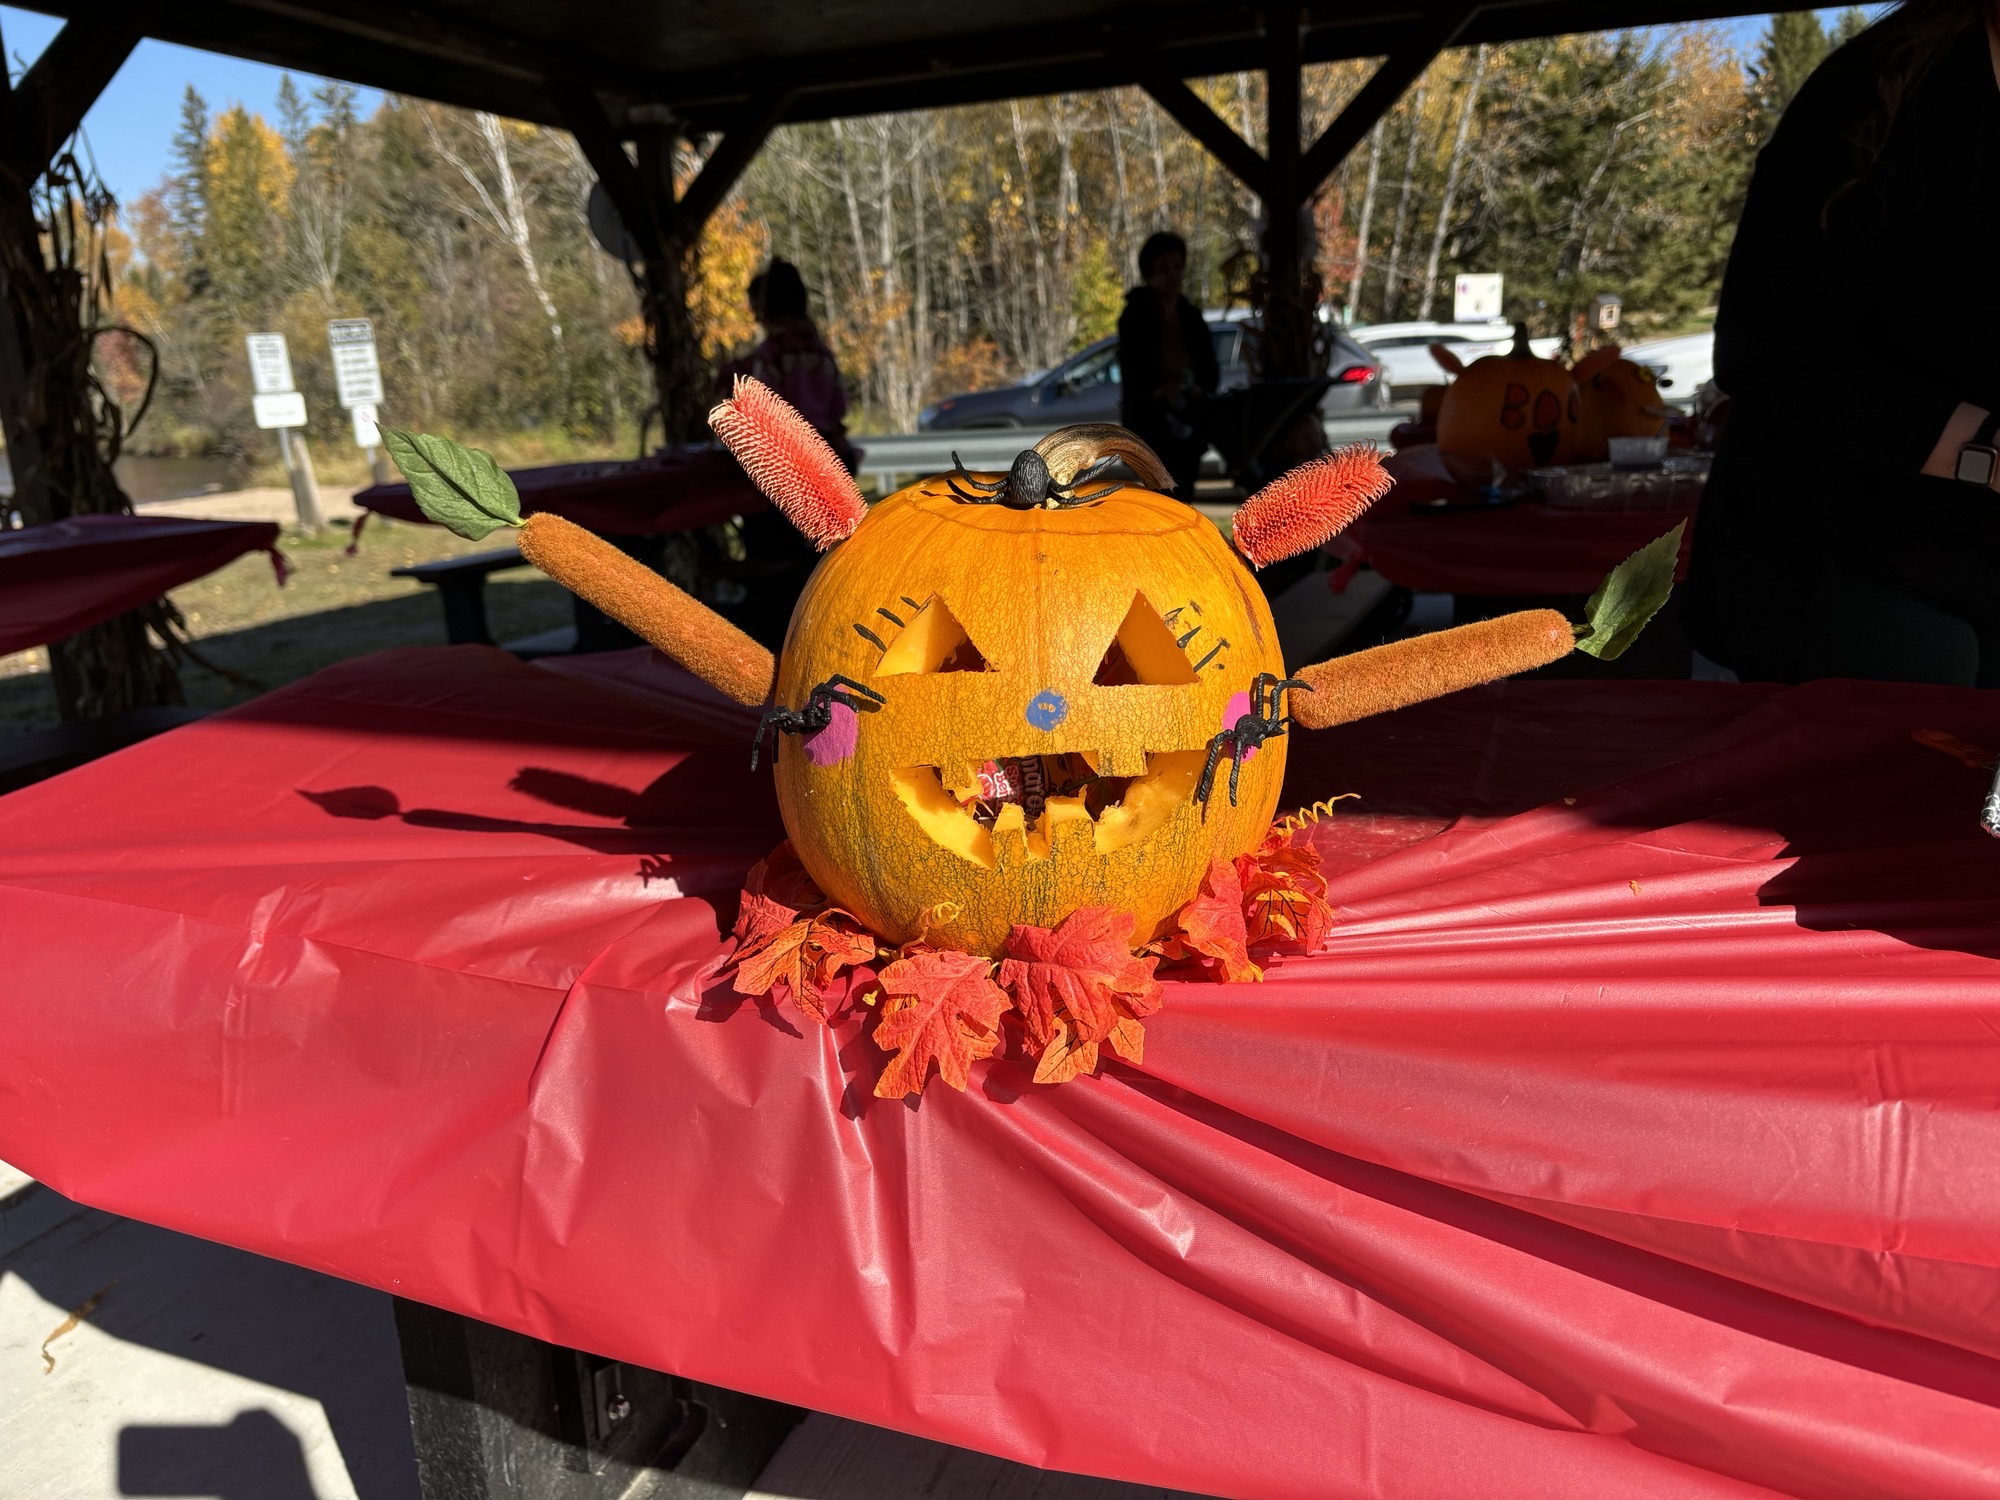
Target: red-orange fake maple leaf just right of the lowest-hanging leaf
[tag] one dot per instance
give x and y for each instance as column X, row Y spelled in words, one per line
column 1087, row 969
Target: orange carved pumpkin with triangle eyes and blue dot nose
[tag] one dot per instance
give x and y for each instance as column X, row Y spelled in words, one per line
column 987, row 629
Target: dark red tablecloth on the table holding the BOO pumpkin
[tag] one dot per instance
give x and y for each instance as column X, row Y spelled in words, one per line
column 1511, row 551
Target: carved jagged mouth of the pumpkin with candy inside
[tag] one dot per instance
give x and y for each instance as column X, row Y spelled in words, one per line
column 1047, row 801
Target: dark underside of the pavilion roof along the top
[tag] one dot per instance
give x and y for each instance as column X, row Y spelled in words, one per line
column 709, row 63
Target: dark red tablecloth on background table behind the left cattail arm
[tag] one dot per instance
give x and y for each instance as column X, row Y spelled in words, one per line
column 641, row 497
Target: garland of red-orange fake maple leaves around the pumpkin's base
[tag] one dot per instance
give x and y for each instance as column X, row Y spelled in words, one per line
column 1073, row 989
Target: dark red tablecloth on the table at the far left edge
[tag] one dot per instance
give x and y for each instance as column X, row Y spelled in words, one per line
column 71, row 575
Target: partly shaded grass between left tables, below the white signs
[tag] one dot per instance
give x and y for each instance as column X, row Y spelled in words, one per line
column 333, row 609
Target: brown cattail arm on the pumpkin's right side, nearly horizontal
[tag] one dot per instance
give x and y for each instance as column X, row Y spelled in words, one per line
column 1429, row 667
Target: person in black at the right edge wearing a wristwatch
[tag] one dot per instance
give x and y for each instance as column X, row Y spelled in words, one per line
column 1853, row 525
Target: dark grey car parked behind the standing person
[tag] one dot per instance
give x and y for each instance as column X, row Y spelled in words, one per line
column 1085, row 387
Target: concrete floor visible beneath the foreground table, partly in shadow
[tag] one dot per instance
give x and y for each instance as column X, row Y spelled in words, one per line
column 145, row 1363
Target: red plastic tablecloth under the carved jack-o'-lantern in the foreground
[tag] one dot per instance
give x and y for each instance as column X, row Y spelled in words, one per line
column 1637, row 1135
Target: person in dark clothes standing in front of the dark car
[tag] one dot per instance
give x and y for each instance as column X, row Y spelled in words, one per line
column 1167, row 361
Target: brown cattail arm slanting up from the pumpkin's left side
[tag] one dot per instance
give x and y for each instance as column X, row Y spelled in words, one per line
column 653, row 609
